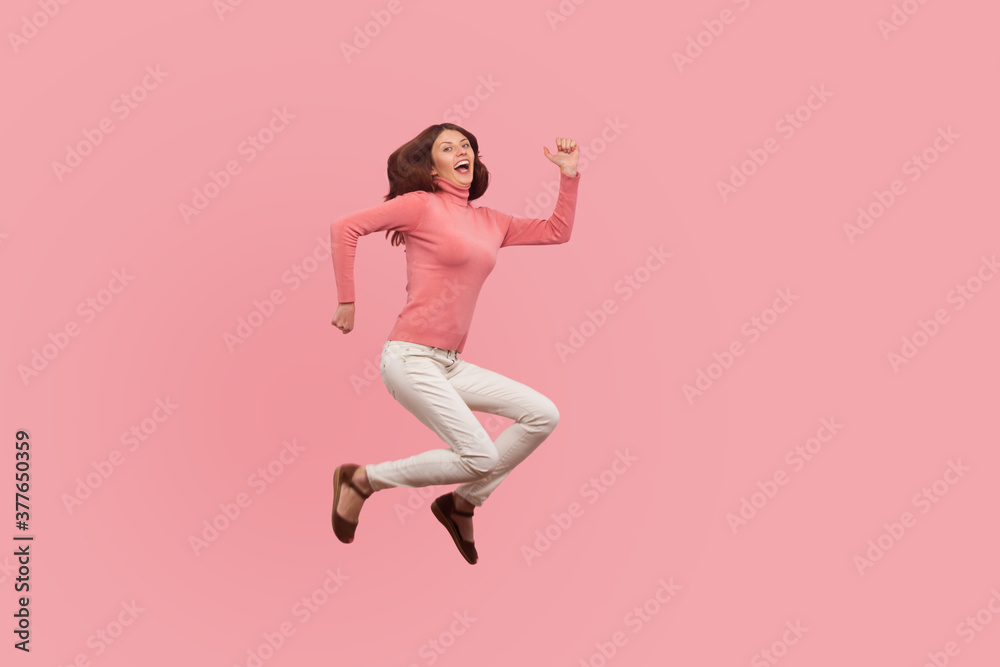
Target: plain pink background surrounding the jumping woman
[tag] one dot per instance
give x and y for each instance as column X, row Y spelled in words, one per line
column 666, row 518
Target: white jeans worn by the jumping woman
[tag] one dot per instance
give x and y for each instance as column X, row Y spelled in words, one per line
column 441, row 391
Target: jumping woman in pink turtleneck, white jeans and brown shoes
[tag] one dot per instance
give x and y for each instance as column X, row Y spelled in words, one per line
column 451, row 248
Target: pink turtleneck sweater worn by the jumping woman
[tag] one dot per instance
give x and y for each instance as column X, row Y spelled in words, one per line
column 451, row 247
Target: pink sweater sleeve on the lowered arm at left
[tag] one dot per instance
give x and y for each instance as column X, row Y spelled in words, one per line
column 403, row 214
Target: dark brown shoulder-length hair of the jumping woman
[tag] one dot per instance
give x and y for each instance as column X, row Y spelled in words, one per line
column 409, row 168
